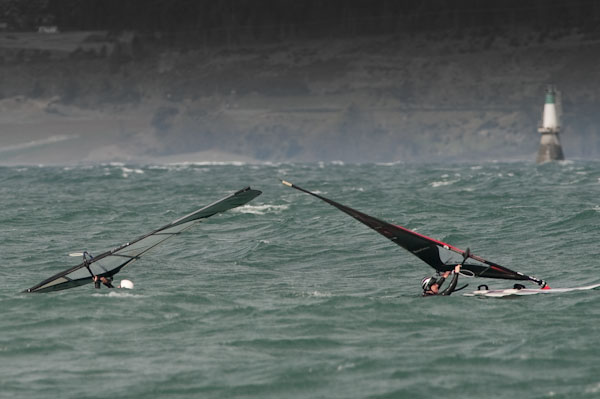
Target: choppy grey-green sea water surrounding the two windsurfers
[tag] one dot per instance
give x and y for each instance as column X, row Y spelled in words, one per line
column 287, row 297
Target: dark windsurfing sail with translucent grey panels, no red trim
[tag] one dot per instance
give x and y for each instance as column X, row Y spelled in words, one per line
column 111, row 262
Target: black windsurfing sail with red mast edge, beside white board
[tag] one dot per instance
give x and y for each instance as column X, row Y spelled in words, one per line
column 437, row 254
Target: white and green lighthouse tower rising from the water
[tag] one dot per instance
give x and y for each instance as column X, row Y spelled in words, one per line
column 550, row 148
